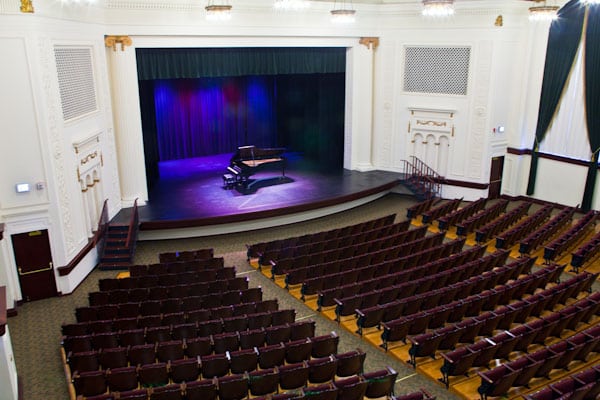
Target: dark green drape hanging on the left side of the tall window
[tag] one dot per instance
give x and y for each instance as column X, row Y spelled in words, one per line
column 563, row 42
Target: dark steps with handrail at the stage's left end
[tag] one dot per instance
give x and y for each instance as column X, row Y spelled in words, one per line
column 119, row 244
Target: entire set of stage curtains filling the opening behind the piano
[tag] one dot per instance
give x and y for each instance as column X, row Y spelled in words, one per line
column 199, row 102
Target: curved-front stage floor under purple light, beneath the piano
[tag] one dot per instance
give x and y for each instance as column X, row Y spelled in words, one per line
column 190, row 199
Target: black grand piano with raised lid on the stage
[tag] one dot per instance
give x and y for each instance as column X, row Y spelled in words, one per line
column 249, row 160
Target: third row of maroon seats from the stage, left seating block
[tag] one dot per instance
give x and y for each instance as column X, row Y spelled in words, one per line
column 150, row 281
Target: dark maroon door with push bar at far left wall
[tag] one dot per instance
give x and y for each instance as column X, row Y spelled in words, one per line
column 34, row 265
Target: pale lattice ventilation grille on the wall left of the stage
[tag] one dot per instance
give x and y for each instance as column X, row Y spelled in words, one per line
column 75, row 81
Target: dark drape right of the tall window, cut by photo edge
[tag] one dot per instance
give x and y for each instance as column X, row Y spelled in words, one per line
column 592, row 100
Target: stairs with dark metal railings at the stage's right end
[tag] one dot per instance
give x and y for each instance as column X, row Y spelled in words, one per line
column 422, row 180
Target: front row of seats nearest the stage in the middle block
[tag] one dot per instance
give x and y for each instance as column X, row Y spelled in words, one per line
column 255, row 250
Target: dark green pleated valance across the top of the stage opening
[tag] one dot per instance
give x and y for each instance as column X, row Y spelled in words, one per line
column 182, row 63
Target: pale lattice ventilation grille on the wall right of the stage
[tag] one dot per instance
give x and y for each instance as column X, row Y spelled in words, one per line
column 441, row 70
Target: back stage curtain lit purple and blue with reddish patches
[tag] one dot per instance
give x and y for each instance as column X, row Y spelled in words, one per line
column 199, row 117
